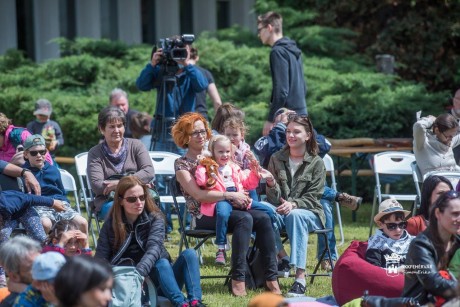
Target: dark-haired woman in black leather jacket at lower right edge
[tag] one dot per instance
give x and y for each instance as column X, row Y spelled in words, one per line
column 431, row 251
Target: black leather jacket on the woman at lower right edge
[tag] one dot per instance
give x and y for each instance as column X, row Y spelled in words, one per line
column 421, row 278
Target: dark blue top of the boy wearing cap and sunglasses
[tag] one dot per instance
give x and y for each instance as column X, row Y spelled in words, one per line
column 49, row 179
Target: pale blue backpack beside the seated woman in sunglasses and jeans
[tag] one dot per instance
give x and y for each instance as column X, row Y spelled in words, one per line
column 128, row 288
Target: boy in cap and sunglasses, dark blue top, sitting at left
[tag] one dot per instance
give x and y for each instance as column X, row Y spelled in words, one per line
column 50, row 181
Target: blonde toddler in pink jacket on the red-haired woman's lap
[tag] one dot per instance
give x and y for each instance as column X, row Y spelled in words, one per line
column 228, row 178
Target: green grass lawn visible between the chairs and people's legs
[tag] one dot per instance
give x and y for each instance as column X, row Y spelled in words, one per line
column 216, row 294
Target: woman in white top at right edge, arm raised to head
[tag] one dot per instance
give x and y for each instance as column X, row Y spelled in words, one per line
column 434, row 140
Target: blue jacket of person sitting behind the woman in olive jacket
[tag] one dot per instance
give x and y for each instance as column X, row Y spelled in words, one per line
column 266, row 146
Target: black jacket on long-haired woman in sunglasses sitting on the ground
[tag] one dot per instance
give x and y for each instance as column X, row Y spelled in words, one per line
column 149, row 231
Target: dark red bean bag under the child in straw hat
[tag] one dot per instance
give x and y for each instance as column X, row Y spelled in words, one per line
column 353, row 275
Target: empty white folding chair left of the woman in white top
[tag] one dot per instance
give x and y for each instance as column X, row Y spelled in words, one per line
column 390, row 163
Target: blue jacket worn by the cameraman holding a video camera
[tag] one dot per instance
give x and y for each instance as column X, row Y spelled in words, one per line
column 181, row 98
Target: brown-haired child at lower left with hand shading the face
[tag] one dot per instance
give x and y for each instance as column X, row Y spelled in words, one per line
column 67, row 239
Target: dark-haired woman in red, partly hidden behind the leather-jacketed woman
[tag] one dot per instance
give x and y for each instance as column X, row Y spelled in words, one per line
column 433, row 186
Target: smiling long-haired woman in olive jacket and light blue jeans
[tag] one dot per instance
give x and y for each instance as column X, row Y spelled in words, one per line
column 296, row 189
